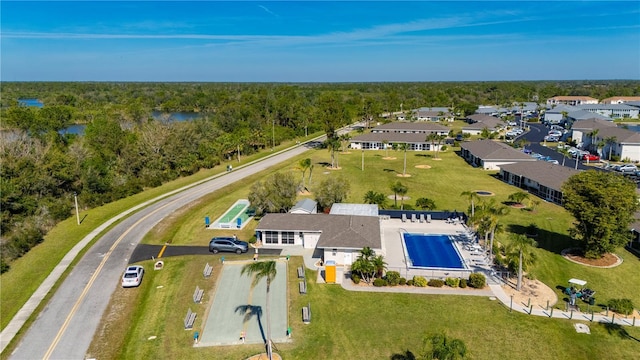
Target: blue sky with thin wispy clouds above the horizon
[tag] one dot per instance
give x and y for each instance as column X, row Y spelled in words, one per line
column 304, row 41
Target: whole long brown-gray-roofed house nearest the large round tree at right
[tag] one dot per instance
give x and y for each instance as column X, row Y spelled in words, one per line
column 540, row 178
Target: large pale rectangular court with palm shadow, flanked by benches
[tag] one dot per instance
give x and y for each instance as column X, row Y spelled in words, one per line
column 238, row 307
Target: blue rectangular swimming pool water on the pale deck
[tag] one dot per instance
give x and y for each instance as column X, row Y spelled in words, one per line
column 432, row 251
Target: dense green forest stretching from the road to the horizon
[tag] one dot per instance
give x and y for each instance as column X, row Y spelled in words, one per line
column 125, row 149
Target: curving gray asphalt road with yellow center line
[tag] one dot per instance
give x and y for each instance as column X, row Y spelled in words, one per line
column 65, row 327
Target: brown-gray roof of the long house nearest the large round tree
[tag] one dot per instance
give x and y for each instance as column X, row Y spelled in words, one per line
column 542, row 172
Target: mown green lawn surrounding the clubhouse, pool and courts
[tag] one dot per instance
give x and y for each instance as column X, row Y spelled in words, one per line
column 349, row 325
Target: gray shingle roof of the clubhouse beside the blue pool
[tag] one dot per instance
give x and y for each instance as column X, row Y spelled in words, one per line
column 338, row 231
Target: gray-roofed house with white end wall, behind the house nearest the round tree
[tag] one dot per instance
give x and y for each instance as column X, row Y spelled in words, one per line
column 490, row 154
